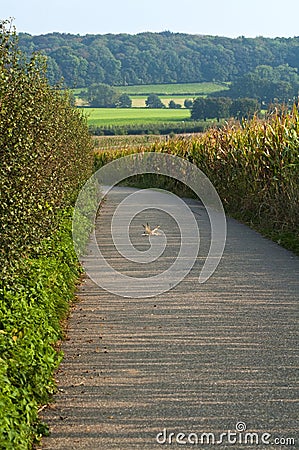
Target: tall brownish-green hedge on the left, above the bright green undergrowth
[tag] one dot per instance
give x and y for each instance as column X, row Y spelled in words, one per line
column 45, row 153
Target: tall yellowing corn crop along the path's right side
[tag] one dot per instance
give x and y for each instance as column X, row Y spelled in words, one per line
column 254, row 166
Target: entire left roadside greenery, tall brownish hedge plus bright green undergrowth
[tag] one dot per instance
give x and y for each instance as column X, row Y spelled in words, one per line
column 45, row 157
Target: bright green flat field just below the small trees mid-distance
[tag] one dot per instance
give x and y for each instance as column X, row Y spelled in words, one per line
column 129, row 116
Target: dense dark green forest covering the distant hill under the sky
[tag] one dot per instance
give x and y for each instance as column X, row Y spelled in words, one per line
column 150, row 58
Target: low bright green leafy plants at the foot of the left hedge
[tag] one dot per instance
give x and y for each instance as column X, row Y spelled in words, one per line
column 30, row 314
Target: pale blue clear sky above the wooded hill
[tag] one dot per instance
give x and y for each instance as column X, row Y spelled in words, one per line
column 230, row 18
